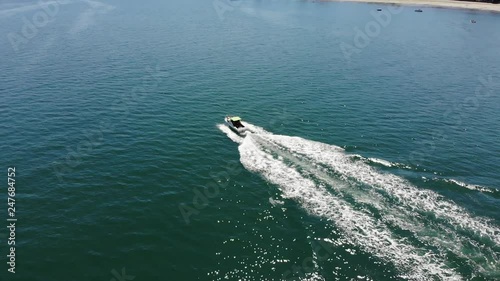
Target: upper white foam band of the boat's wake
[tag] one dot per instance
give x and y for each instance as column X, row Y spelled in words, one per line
column 414, row 198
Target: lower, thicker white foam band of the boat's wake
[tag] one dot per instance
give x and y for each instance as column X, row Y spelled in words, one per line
column 360, row 229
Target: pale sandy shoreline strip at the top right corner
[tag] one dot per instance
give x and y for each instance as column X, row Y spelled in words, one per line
column 478, row 6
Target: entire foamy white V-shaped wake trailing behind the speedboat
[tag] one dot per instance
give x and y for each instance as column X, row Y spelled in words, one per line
column 425, row 235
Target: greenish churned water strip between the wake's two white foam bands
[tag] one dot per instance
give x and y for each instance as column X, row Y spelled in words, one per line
column 437, row 235
